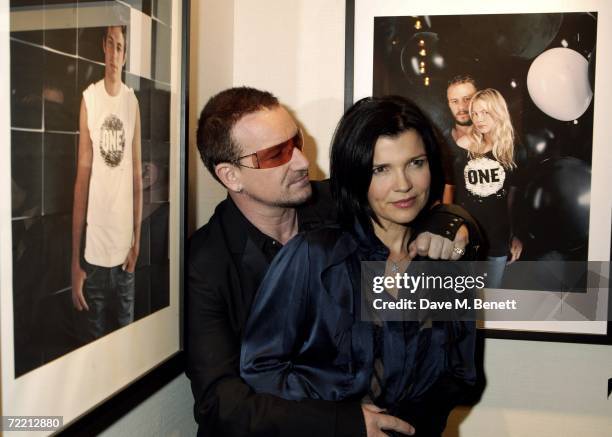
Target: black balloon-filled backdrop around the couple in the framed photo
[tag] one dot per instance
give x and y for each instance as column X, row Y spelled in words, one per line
column 554, row 131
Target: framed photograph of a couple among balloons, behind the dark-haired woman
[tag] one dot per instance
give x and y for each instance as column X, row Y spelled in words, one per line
column 541, row 60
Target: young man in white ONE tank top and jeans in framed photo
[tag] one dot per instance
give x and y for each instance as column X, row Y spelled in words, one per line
column 107, row 212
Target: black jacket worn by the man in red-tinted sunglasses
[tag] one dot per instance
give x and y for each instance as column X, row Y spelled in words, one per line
column 225, row 266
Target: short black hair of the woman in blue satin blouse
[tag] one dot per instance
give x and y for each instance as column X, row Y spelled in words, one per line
column 352, row 152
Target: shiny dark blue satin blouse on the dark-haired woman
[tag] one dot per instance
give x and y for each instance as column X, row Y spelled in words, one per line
column 304, row 339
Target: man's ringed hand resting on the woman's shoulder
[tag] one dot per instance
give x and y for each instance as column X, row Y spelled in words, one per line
column 438, row 247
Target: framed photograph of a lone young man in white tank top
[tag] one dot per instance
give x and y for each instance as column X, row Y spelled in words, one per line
column 93, row 151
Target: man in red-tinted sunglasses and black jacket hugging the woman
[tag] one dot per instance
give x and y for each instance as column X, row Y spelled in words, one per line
column 252, row 145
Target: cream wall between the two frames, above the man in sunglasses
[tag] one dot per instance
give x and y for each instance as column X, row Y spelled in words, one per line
column 295, row 49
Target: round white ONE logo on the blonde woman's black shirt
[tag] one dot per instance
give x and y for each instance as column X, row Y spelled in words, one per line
column 484, row 176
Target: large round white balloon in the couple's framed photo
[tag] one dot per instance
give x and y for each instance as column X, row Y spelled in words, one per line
column 558, row 83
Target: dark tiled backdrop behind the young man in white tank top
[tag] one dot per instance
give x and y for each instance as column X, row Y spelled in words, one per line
column 56, row 52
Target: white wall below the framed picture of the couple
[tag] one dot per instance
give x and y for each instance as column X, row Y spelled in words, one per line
column 541, row 389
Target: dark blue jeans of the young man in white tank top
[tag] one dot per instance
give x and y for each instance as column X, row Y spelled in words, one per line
column 109, row 293
